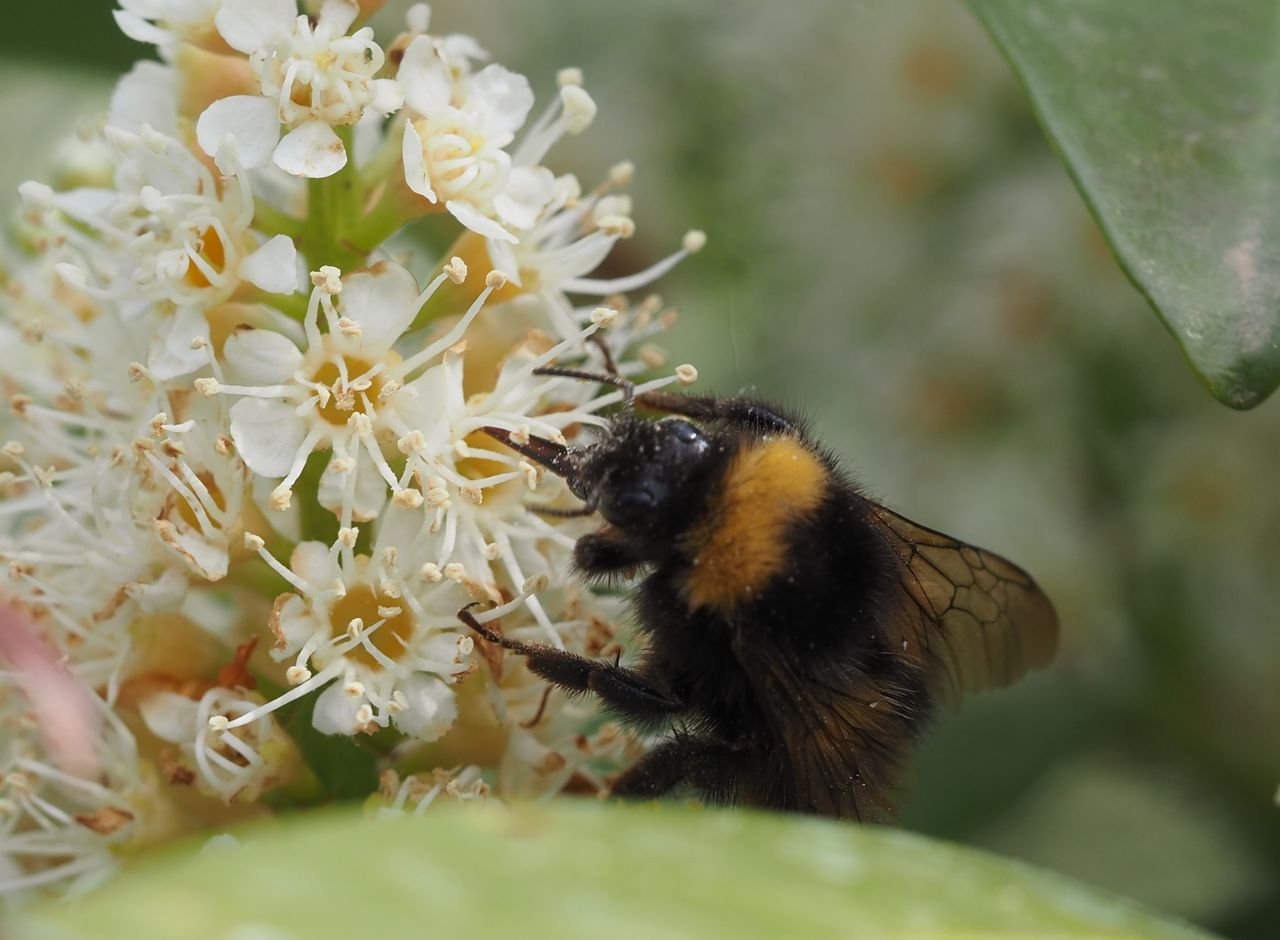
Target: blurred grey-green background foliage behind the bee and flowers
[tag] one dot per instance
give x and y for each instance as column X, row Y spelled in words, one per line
column 895, row 249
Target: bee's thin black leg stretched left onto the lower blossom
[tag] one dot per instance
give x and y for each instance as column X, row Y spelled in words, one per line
column 624, row 691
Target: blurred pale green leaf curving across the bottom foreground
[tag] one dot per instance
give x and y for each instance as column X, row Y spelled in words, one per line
column 582, row 870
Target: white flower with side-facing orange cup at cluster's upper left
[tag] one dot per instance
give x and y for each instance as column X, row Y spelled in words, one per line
column 171, row 244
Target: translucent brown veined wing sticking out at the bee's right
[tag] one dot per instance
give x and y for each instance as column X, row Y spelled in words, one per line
column 971, row 619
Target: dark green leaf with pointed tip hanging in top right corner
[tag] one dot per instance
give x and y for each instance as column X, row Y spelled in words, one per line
column 1168, row 117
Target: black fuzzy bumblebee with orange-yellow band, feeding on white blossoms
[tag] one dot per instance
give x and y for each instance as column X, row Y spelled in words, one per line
column 797, row 635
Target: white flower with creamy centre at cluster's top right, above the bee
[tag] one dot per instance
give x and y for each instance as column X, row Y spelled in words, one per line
column 458, row 133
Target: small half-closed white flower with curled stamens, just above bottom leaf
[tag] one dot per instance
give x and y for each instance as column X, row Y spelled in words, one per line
column 234, row 765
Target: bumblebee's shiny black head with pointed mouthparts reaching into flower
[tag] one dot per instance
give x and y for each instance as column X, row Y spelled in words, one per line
column 644, row 477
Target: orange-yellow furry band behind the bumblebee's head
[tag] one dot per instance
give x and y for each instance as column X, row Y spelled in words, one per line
column 740, row 545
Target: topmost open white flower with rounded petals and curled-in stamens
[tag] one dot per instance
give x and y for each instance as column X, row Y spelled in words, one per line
column 313, row 76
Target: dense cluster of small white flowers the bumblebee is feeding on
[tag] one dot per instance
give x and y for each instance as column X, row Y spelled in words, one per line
column 245, row 485
